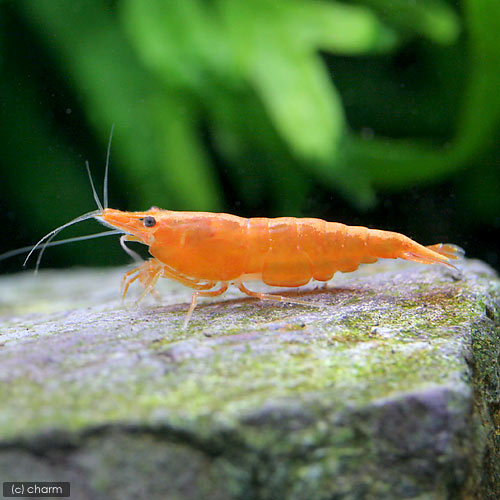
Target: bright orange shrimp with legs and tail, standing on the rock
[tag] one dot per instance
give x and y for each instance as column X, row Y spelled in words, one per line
column 203, row 249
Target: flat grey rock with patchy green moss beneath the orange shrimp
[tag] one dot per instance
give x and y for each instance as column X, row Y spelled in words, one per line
column 390, row 390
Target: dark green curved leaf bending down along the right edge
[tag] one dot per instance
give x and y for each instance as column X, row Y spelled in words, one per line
column 395, row 164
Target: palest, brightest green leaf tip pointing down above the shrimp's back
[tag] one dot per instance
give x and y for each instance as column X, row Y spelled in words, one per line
column 288, row 76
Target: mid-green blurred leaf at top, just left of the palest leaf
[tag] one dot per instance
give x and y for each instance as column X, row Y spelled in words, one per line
column 181, row 40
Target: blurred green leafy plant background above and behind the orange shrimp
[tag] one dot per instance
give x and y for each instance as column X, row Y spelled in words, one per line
column 268, row 101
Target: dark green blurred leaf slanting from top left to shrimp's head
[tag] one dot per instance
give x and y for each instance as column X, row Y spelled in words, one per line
column 118, row 89
